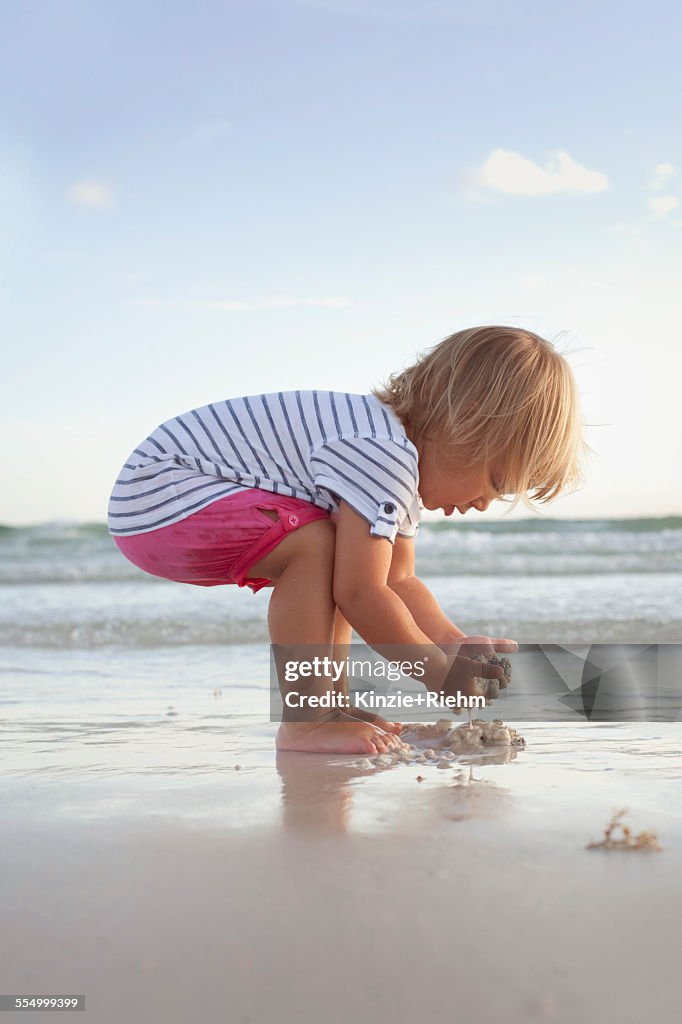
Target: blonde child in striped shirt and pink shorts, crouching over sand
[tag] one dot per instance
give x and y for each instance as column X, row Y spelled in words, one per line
column 317, row 494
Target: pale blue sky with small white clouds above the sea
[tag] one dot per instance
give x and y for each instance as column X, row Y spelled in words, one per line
column 215, row 199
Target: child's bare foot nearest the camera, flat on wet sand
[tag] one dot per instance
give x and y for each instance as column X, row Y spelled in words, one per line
column 336, row 738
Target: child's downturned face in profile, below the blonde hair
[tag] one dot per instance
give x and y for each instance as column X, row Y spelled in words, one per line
column 445, row 484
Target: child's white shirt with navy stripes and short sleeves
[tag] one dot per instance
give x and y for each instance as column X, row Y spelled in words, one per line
column 322, row 447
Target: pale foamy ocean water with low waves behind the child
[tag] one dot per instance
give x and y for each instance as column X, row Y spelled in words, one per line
column 107, row 669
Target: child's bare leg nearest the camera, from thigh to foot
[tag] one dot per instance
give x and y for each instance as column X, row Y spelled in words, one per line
column 303, row 613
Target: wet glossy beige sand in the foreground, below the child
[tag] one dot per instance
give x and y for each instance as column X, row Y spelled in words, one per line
column 299, row 888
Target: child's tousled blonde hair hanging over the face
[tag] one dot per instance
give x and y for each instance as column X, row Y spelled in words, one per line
column 497, row 393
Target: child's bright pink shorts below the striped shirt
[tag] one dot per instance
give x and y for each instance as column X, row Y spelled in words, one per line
column 219, row 544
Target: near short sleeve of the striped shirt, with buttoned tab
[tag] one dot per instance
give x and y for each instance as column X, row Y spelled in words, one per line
column 377, row 478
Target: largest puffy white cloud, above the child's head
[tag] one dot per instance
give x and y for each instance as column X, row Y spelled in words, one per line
column 513, row 175
